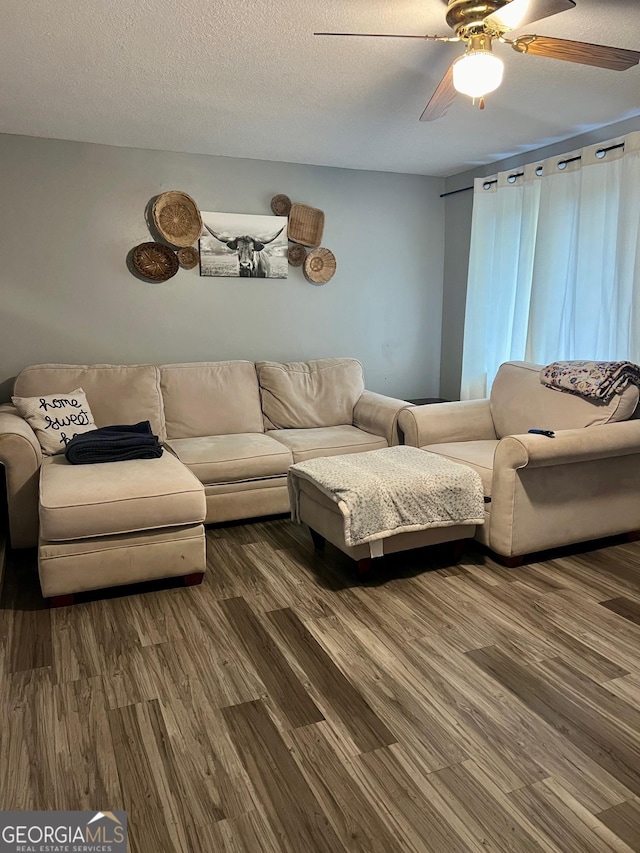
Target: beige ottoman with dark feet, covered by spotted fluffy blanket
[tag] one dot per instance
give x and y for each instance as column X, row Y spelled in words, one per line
column 316, row 503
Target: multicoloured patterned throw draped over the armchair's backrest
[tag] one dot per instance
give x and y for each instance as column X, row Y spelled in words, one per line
column 594, row 380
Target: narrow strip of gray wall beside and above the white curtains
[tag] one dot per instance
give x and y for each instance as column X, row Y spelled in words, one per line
column 458, row 211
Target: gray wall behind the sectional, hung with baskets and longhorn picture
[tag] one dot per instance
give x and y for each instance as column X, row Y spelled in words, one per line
column 71, row 212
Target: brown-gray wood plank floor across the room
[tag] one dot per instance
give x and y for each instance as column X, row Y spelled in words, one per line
column 282, row 706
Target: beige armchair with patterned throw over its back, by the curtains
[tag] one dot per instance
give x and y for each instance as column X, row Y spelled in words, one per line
column 540, row 492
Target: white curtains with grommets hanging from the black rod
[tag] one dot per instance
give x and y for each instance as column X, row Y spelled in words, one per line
column 554, row 267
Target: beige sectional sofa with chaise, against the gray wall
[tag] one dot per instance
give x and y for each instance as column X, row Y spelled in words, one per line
column 231, row 430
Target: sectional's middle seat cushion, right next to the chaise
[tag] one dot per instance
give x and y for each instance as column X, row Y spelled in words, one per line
column 232, row 458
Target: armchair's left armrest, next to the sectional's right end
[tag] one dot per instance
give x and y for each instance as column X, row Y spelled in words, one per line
column 436, row 423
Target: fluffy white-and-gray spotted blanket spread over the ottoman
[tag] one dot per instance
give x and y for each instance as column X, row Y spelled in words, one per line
column 381, row 493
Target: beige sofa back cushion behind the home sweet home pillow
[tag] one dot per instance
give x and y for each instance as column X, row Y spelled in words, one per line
column 117, row 394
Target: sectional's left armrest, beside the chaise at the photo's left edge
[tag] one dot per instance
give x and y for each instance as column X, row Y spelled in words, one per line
column 21, row 456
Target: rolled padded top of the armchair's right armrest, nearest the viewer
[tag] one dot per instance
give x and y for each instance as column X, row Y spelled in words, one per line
column 568, row 446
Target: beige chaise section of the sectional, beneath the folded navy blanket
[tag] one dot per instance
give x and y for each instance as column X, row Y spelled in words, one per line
column 118, row 523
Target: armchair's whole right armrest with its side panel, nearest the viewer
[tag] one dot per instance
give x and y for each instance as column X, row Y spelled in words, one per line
column 583, row 484
